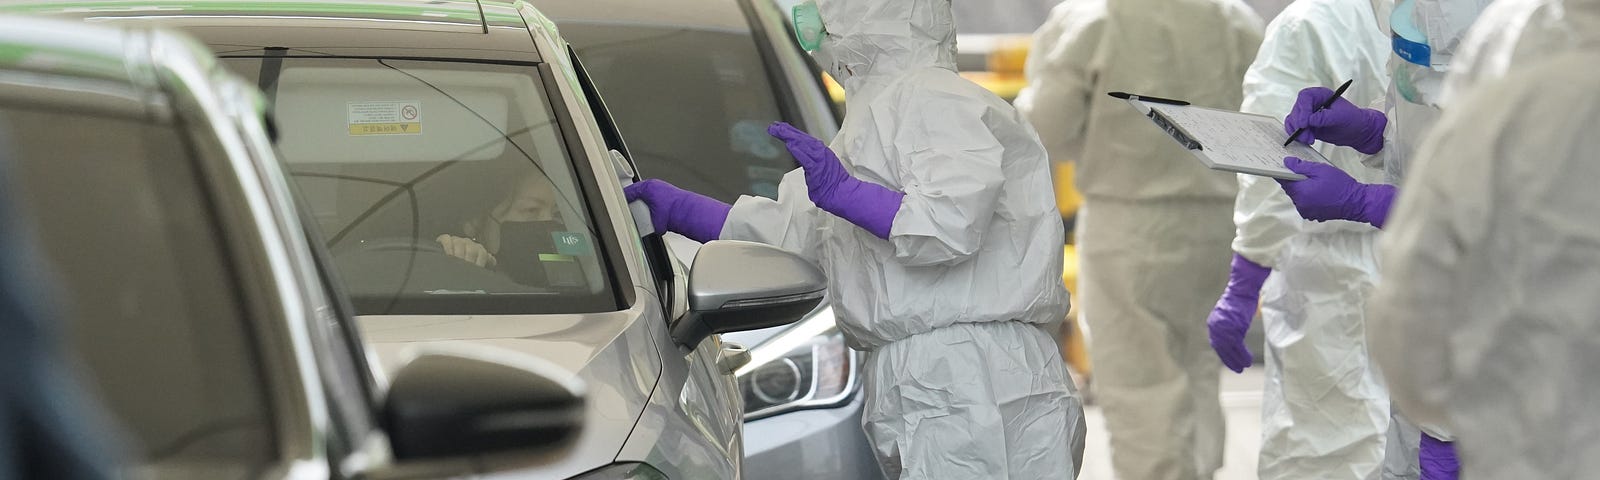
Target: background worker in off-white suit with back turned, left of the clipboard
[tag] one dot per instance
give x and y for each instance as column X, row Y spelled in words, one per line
column 1154, row 226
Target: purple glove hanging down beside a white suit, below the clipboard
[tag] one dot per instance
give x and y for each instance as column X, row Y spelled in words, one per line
column 1231, row 318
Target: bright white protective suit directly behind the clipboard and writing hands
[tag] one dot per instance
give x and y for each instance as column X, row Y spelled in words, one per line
column 1326, row 409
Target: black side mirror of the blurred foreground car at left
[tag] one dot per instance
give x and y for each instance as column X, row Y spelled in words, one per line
column 450, row 402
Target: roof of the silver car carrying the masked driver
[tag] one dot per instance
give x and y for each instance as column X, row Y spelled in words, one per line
column 458, row 30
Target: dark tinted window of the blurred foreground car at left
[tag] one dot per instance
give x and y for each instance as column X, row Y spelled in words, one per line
column 145, row 287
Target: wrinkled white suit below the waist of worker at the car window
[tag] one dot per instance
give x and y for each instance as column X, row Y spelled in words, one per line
column 935, row 415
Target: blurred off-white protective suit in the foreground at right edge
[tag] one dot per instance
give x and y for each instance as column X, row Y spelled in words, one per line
column 1487, row 321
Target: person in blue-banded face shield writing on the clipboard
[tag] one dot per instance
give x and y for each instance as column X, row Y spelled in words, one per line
column 1426, row 34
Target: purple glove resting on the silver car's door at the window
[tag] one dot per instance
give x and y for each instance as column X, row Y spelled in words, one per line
column 679, row 210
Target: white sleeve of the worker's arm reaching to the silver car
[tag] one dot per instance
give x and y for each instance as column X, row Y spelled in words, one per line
column 790, row 223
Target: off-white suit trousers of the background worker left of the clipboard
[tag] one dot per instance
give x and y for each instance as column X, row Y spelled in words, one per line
column 1158, row 268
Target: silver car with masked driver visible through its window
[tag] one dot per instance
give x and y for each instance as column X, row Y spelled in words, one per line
column 466, row 180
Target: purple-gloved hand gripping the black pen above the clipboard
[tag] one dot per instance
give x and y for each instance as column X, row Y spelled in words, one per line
column 1343, row 124
